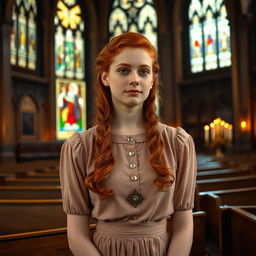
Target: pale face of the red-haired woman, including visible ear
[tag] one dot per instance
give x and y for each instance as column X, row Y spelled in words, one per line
column 130, row 77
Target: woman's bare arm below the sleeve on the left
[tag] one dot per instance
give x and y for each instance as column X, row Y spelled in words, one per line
column 79, row 236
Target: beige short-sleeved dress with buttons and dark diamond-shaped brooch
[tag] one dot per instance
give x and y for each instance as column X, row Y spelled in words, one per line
column 133, row 221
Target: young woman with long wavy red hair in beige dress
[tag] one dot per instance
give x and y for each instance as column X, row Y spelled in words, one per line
column 129, row 171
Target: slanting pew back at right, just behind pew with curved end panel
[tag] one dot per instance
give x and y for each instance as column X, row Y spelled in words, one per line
column 226, row 183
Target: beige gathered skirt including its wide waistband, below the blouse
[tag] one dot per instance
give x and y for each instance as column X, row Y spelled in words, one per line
column 128, row 239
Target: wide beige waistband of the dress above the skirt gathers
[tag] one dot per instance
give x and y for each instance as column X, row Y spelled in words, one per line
column 132, row 229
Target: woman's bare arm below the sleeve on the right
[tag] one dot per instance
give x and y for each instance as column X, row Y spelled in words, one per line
column 182, row 233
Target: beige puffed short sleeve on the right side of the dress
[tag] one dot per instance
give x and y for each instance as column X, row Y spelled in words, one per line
column 186, row 171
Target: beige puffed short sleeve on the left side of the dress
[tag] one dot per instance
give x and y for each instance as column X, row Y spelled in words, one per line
column 75, row 195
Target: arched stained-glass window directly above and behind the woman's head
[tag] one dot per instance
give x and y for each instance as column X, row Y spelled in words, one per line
column 136, row 16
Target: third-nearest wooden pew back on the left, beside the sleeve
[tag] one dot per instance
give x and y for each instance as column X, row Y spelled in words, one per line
column 30, row 192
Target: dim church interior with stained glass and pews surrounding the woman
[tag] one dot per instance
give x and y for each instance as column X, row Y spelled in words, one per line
column 207, row 57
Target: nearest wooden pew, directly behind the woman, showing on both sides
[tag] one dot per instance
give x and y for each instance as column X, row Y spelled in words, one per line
column 54, row 242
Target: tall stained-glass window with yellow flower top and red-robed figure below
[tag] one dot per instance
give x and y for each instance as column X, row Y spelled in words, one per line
column 69, row 69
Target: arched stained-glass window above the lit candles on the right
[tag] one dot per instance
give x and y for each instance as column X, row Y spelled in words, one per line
column 209, row 35
